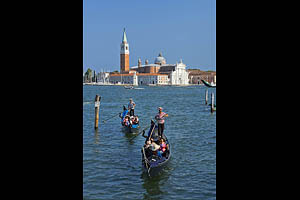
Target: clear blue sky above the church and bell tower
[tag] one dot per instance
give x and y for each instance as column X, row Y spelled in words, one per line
column 179, row 29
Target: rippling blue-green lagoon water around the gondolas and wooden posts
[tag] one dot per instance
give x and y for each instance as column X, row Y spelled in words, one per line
column 112, row 167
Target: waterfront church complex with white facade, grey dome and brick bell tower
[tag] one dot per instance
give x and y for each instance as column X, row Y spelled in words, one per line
column 158, row 73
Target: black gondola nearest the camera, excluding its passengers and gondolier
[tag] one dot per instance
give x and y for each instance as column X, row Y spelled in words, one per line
column 151, row 163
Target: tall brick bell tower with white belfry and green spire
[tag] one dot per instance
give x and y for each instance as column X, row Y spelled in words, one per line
column 124, row 55
